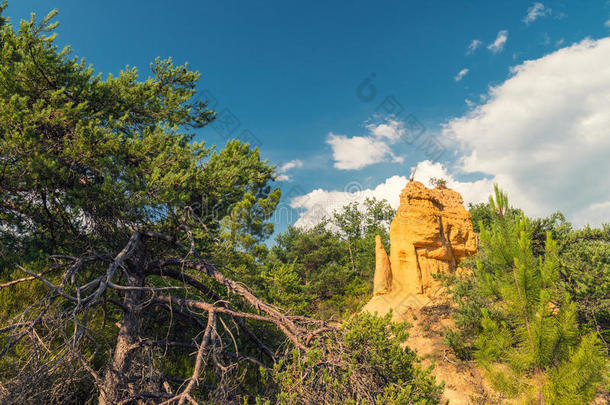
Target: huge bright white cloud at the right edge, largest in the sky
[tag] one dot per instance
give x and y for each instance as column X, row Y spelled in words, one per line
column 544, row 134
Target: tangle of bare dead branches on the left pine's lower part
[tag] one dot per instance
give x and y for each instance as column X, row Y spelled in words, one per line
column 124, row 280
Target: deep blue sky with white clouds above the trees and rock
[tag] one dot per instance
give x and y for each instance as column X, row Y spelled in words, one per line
column 290, row 73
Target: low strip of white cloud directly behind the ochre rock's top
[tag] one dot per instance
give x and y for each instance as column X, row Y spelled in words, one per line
column 320, row 203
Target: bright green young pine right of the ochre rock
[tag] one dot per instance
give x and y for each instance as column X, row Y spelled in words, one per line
column 528, row 338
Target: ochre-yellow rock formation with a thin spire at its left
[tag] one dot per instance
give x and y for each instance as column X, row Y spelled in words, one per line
column 430, row 234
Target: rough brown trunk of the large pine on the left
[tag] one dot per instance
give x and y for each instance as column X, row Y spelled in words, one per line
column 116, row 384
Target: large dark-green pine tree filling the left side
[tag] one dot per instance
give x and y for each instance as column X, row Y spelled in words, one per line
column 92, row 166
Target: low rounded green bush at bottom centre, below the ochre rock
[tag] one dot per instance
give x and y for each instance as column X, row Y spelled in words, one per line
column 365, row 362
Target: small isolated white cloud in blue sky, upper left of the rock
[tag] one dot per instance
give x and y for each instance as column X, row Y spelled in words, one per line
column 357, row 152
